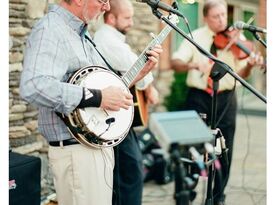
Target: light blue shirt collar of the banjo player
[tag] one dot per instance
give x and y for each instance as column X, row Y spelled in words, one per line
column 73, row 21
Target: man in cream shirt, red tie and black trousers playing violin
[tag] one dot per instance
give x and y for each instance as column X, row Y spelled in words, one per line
column 188, row 59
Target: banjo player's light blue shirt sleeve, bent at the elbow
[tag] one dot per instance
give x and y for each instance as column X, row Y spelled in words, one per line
column 42, row 80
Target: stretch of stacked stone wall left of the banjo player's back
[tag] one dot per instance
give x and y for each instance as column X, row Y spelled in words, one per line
column 23, row 135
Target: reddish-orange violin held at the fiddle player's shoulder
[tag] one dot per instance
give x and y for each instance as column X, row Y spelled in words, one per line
column 230, row 39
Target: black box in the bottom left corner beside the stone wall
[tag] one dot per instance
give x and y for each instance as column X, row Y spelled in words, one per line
column 24, row 179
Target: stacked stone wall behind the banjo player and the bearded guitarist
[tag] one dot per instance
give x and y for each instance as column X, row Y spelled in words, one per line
column 23, row 134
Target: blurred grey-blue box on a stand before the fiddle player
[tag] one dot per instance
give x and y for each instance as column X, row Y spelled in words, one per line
column 180, row 127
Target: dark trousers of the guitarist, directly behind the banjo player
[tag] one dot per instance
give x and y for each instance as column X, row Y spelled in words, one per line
column 128, row 172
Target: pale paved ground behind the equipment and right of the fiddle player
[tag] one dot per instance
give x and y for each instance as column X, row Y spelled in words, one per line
column 247, row 184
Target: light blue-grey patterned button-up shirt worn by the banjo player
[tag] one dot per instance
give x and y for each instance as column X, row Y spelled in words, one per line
column 55, row 49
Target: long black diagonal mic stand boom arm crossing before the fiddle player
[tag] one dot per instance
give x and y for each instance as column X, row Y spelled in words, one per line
column 226, row 68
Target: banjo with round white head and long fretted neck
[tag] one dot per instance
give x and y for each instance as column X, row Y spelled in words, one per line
column 97, row 127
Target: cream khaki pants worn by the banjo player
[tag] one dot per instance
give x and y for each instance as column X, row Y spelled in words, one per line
column 82, row 175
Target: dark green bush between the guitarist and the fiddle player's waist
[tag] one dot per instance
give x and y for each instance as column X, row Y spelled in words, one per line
column 177, row 97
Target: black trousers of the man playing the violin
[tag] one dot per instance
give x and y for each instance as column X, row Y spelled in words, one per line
column 201, row 101
